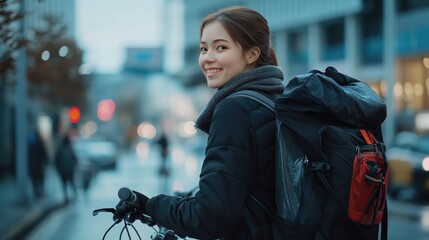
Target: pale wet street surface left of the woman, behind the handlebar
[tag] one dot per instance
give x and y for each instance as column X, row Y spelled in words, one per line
column 76, row 220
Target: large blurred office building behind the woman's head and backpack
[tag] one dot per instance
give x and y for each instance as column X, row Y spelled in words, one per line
column 381, row 42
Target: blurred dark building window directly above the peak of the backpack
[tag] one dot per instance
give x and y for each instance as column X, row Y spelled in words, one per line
column 333, row 45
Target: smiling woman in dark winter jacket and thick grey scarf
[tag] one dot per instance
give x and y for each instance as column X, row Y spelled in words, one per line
column 236, row 53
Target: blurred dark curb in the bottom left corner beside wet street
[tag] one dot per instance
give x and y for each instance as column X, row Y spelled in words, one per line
column 30, row 221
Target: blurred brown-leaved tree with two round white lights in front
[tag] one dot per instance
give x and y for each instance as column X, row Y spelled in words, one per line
column 53, row 67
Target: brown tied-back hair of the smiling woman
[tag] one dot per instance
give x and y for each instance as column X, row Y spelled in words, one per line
column 248, row 28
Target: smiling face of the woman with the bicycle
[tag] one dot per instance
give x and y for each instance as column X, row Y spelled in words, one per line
column 220, row 57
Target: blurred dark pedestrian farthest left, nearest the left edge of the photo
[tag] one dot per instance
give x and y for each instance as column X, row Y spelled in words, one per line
column 37, row 159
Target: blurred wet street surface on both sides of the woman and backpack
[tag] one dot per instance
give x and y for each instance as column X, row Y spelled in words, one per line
column 407, row 219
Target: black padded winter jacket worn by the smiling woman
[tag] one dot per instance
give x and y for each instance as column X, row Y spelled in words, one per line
column 239, row 161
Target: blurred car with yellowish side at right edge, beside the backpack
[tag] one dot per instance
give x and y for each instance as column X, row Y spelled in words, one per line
column 408, row 161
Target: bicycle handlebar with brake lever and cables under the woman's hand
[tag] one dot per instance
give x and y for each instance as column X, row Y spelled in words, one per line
column 128, row 197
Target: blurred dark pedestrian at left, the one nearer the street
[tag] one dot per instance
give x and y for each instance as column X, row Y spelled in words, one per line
column 66, row 163
